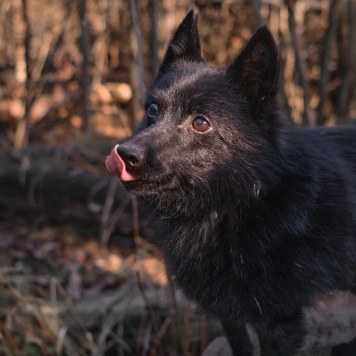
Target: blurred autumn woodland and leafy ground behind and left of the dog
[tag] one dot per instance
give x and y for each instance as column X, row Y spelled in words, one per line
column 78, row 271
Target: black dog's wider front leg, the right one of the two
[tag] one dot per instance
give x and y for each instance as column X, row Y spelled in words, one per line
column 284, row 337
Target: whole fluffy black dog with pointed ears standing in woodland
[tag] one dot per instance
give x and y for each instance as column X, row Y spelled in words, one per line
column 259, row 216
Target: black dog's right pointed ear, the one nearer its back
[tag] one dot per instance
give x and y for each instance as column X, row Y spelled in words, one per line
column 256, row 69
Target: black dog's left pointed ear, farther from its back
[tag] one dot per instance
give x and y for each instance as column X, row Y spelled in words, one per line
column 185, row 44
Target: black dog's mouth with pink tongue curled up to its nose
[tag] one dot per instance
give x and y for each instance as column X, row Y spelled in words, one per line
column 134, row 182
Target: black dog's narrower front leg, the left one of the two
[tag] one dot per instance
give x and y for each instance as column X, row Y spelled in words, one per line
column 238, row 339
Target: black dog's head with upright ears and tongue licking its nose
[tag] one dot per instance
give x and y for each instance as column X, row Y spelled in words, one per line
column 205, row 129
